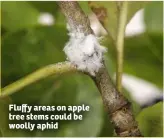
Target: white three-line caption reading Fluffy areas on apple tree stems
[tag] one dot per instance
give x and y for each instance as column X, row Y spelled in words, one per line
column 42, row 118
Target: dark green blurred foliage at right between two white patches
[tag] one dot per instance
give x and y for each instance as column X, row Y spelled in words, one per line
column 148, row 63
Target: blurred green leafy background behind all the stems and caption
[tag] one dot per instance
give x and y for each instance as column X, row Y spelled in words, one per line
column 27, row 45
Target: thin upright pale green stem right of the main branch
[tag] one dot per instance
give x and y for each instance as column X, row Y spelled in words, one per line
column 123, row 10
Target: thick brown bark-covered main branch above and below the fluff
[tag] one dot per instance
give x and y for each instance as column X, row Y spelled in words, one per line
column 117, row 106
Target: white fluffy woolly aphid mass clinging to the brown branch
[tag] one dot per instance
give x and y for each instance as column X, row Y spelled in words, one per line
column 84, row 52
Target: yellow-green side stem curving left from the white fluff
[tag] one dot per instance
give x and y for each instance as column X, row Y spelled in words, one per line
column 53, row 69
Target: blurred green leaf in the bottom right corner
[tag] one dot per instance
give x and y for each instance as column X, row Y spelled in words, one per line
column 150, row 121
